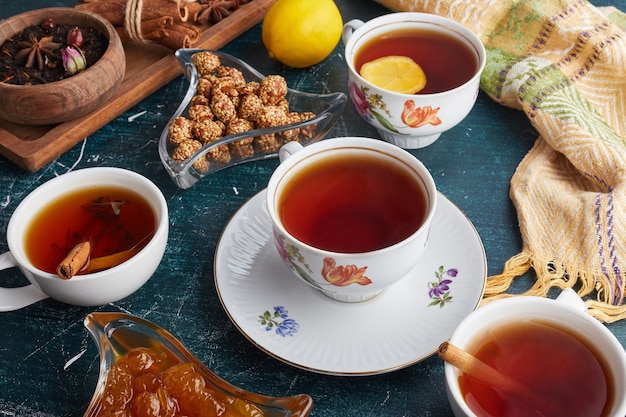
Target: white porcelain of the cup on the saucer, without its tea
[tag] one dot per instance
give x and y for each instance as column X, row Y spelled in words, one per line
column 383, row 267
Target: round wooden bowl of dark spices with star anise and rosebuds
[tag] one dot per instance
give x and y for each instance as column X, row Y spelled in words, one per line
column 57, row 64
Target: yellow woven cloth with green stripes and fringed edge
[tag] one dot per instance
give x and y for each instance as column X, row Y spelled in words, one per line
column 564, row 64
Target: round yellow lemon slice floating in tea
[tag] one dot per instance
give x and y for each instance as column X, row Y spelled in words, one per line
column 395, row 73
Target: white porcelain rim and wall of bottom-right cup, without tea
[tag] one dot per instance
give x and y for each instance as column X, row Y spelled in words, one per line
column 567, row 311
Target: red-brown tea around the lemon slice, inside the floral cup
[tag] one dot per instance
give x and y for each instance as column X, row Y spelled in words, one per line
column 447, row 62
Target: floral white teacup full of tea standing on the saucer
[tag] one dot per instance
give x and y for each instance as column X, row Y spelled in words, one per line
column 351, row 216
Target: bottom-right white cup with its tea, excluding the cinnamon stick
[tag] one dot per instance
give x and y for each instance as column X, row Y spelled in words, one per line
column 560, row 338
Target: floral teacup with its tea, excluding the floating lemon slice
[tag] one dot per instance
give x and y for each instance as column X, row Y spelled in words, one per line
column 415, row 120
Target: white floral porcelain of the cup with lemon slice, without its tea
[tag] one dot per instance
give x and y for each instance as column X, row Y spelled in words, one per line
column 410, row 120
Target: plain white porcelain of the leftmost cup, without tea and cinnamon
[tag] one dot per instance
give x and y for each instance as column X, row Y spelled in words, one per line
column 90, row 289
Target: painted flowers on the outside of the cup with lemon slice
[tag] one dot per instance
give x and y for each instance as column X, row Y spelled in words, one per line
column 372, row 107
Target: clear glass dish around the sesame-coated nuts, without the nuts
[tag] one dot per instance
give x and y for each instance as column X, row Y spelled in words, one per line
column 326, row 107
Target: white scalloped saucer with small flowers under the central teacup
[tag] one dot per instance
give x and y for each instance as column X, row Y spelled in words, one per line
column 296, row 324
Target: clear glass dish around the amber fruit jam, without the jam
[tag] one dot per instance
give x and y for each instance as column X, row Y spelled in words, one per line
column 117, row 333
